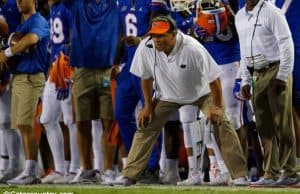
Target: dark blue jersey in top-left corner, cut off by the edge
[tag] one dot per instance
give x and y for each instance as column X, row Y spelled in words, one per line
column 10, row 12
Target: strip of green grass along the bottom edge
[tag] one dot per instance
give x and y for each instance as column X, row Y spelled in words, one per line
column 88, row 189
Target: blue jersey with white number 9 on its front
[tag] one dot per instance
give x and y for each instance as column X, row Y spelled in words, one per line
column 60, row 24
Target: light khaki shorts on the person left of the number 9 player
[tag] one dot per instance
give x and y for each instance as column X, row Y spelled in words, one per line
column 26, row 90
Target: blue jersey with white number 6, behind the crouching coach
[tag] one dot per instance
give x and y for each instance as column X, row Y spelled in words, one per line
column 135, row 18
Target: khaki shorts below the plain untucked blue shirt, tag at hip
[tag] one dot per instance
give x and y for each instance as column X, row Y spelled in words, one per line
column 92, row 94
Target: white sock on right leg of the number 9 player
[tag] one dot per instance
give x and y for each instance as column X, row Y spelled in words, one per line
column 75, row 160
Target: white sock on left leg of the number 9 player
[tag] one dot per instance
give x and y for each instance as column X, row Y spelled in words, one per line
column 56, row 142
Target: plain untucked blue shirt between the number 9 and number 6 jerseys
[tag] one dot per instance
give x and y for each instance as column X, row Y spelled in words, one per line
column 95, row 32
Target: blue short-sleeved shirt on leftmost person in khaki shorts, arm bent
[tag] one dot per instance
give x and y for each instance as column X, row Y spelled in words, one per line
column 35, row 60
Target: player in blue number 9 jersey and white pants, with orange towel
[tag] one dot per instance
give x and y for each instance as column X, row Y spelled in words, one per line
column 57, row 101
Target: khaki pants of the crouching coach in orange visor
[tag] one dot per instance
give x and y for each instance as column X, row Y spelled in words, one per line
column 145, row 138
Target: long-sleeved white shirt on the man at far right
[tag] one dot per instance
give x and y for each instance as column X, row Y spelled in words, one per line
column 272, row 40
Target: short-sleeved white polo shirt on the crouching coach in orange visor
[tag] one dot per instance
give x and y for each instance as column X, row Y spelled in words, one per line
column 183, row 76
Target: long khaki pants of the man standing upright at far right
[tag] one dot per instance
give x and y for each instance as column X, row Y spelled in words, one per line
column 274, row 121
